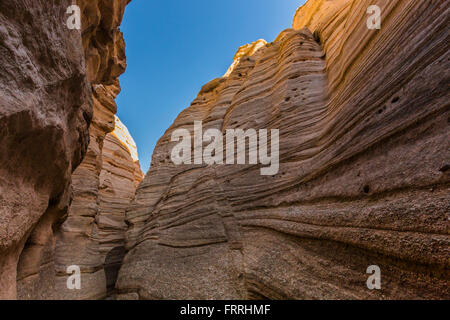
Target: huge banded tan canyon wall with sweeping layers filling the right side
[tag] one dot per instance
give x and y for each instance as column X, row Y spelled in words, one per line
column 364, row 156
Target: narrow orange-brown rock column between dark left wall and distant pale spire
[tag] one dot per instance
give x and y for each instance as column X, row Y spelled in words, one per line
column 76, row 241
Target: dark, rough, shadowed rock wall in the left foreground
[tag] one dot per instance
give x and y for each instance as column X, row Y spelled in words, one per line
column 45, row 111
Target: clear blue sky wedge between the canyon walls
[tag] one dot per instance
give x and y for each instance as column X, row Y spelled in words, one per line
column 174, row 47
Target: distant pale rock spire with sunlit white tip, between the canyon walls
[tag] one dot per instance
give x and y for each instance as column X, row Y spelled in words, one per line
column 119, row 178
